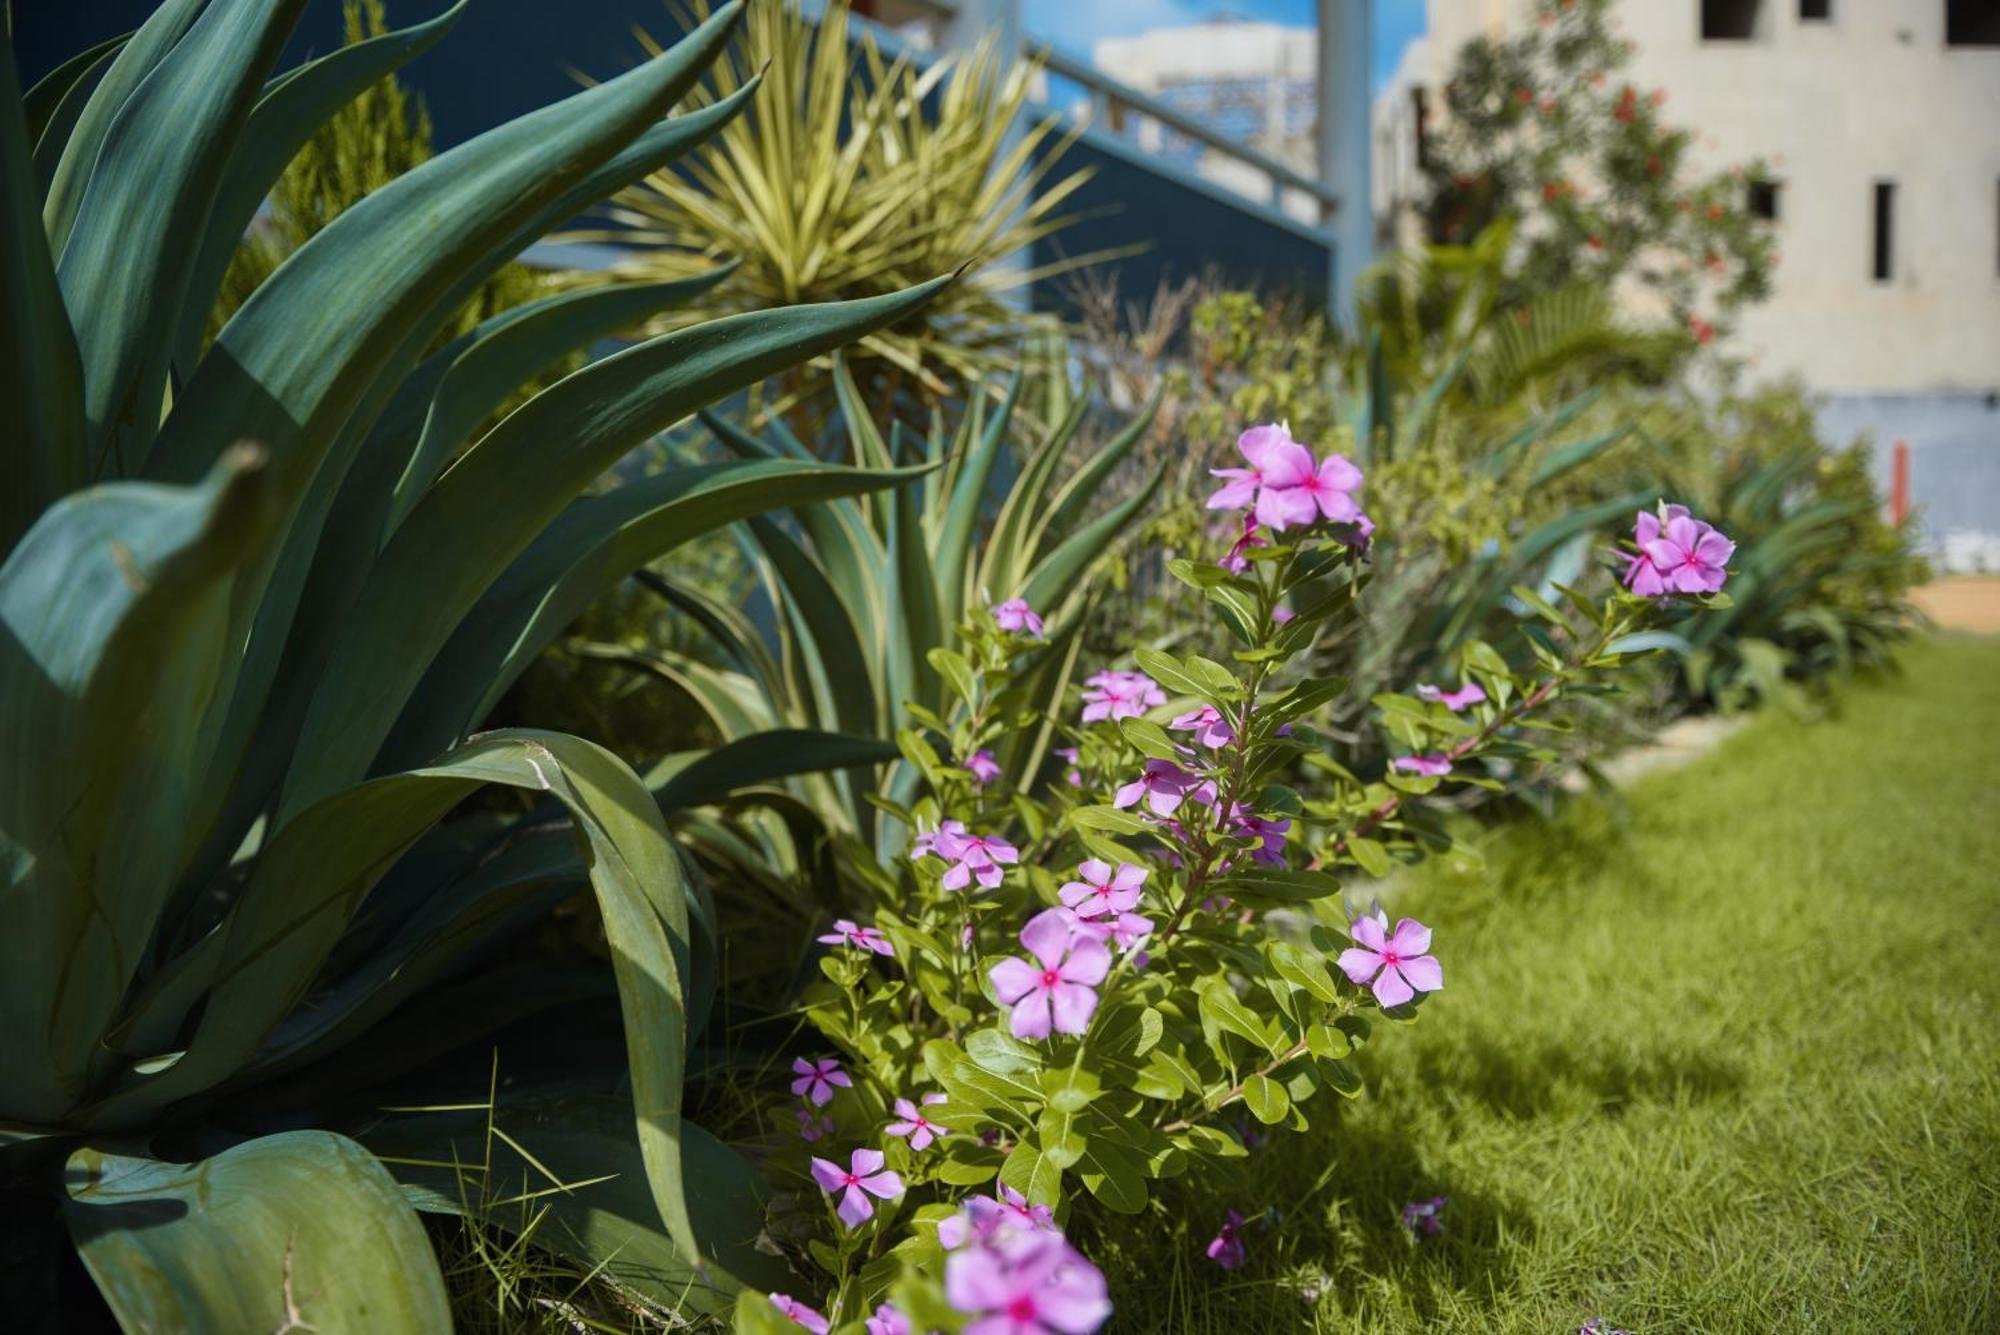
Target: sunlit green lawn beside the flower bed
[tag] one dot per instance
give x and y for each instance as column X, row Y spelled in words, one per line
column 1723, row 1060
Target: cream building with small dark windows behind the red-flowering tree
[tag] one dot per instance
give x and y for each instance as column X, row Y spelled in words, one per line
column 1881, row 123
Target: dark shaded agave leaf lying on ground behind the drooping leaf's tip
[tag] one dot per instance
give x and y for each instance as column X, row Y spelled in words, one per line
column 607, row 1218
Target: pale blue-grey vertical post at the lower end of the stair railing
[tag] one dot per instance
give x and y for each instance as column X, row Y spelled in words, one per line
column 1345, row 145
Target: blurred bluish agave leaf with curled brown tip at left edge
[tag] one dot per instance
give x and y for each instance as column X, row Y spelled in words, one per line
column 113, row 617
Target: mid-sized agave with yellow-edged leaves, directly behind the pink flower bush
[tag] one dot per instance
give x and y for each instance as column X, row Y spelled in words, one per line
column 871, row 595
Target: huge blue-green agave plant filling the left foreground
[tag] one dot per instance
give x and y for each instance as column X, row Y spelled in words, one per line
column 257, row 599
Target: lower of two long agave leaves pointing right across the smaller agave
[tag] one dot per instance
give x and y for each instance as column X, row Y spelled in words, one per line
column 589, row 549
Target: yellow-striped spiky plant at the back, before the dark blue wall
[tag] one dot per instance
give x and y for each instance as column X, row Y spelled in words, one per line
column 851, row 177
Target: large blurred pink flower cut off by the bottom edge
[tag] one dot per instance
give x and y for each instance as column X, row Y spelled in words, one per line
column 1037, row 1286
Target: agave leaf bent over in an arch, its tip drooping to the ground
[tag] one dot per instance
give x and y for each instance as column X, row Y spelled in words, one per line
column 319, row 868
